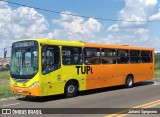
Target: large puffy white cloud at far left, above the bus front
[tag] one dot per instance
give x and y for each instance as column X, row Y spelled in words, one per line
column 21, row 23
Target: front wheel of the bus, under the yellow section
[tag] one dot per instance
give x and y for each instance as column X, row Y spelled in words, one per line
column 71, row 89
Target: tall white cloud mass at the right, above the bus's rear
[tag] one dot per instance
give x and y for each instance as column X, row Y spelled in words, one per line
column 134, row 33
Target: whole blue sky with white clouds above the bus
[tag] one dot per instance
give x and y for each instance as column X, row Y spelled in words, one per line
column 20, row 22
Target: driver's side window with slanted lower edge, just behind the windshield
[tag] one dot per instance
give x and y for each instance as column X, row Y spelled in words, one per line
column 50, row 58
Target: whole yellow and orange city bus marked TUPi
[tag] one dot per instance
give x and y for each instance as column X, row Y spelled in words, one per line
column 41, row 67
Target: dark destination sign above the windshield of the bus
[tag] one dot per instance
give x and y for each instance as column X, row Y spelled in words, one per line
column 24, row 44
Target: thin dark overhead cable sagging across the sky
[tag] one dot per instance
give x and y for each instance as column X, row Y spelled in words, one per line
column 58, row 12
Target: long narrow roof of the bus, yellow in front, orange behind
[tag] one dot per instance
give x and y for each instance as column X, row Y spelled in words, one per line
column 87, row 44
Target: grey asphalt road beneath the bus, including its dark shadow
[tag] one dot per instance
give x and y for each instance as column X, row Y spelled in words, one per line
column 93, row 103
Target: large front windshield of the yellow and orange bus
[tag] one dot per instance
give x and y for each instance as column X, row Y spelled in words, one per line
column 24, row 62
